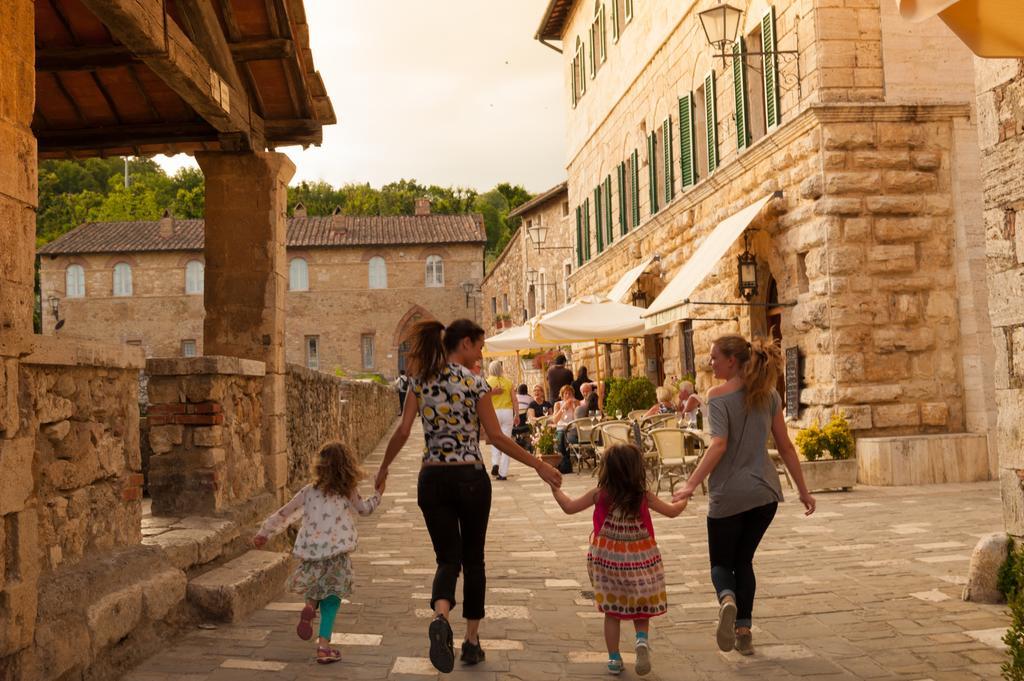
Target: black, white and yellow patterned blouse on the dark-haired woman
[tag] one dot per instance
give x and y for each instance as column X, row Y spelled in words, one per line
column 448, row 408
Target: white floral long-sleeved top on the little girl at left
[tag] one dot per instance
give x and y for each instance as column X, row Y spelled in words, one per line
column 328, row 527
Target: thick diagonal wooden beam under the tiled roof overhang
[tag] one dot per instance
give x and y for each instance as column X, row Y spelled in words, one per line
column 157, row 40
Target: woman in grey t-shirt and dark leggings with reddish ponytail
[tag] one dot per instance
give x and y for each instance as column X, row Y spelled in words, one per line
column 743, row 485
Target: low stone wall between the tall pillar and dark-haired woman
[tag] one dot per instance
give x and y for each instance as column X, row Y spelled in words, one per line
column 323, row 408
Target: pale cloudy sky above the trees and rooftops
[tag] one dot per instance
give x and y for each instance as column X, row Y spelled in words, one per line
column 448, row 93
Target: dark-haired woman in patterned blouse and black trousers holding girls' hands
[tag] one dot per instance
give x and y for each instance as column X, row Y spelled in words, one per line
column 454, row 489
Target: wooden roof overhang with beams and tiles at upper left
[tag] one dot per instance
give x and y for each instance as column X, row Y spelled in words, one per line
column 145, row 77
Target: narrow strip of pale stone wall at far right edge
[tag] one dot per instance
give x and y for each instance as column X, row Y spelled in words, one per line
column 1001, row 131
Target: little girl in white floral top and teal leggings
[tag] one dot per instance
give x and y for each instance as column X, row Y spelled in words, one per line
column 327, row 537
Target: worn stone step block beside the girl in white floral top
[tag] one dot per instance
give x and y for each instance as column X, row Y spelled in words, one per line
column 248, row 583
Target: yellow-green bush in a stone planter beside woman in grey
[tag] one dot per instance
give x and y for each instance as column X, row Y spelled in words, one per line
column 829, row 455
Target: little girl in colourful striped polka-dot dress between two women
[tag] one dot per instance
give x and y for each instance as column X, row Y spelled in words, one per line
column 624, row 562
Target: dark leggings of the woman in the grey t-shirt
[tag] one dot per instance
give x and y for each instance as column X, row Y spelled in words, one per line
column 732, row 543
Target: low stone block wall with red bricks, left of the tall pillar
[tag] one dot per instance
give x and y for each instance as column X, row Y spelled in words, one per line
column 205, row 432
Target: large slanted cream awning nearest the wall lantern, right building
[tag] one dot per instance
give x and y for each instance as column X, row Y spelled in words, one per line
column 671, row 305
